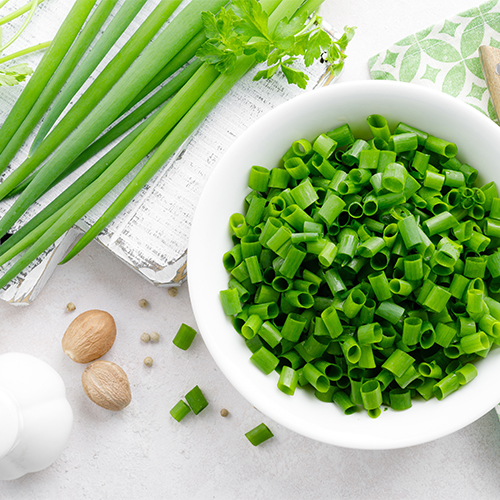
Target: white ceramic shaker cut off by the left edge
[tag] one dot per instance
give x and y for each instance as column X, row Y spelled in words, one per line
column 35, row 416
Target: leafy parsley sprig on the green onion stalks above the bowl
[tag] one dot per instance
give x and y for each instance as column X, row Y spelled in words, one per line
column 243, row 29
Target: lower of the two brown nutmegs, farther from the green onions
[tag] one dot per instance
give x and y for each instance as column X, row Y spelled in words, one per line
column 106, row 384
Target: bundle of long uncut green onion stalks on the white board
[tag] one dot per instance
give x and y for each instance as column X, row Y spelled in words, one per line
column 129, row 97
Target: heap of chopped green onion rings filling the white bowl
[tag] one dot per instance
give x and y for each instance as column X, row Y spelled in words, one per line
column 365, row 270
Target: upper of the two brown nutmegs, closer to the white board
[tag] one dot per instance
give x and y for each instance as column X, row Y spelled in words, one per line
column 89, row 336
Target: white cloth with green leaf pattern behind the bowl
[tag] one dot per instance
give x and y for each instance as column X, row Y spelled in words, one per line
column 445, row 56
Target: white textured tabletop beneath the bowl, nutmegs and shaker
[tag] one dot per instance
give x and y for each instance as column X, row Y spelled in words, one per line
column 142, row 453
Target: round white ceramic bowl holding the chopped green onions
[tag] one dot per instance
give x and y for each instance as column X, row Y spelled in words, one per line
column 478, row 140
